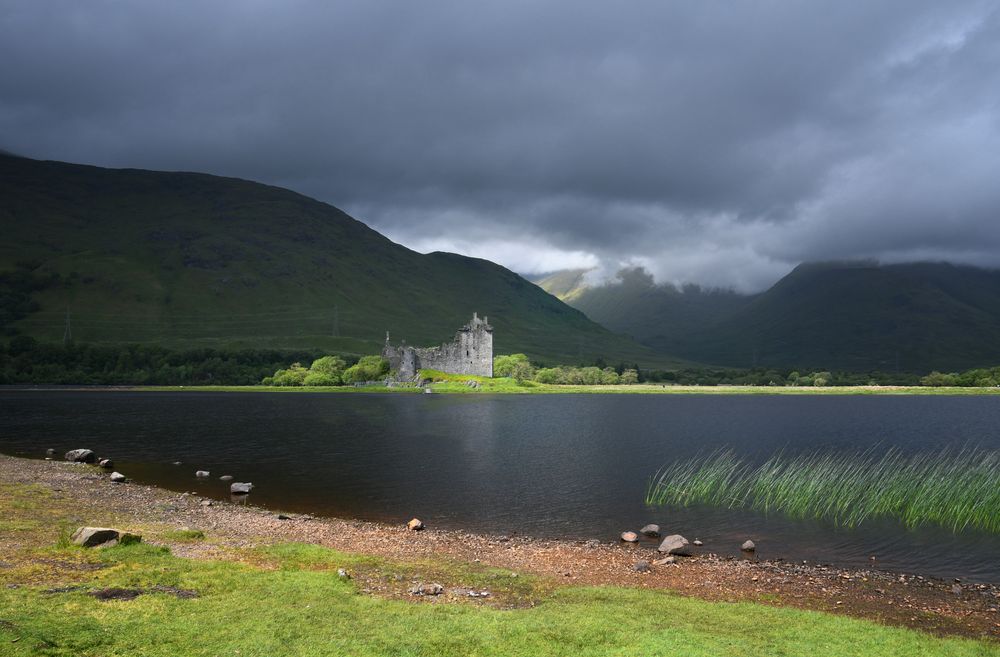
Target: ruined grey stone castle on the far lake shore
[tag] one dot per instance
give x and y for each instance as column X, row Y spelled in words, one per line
column 471, row 352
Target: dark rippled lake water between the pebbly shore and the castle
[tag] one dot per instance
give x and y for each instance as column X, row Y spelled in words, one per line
column 564, row 466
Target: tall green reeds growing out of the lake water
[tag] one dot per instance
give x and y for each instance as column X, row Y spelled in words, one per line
column 956, row 489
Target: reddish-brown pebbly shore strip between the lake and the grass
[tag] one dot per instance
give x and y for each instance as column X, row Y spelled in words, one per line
column 935, row 606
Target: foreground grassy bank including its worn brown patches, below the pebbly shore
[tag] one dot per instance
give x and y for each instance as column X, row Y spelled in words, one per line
column 289, row 599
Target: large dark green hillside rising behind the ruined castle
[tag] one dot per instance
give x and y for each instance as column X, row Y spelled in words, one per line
column 187, row 260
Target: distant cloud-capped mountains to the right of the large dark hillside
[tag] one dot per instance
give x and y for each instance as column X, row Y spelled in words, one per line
column 850, row 316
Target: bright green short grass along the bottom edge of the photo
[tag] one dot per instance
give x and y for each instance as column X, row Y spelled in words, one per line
column 296, row 604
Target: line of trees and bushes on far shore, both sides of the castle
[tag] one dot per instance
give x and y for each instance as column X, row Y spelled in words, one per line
column 24, row 360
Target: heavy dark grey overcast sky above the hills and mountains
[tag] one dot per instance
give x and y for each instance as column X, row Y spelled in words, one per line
column 712, row 142
